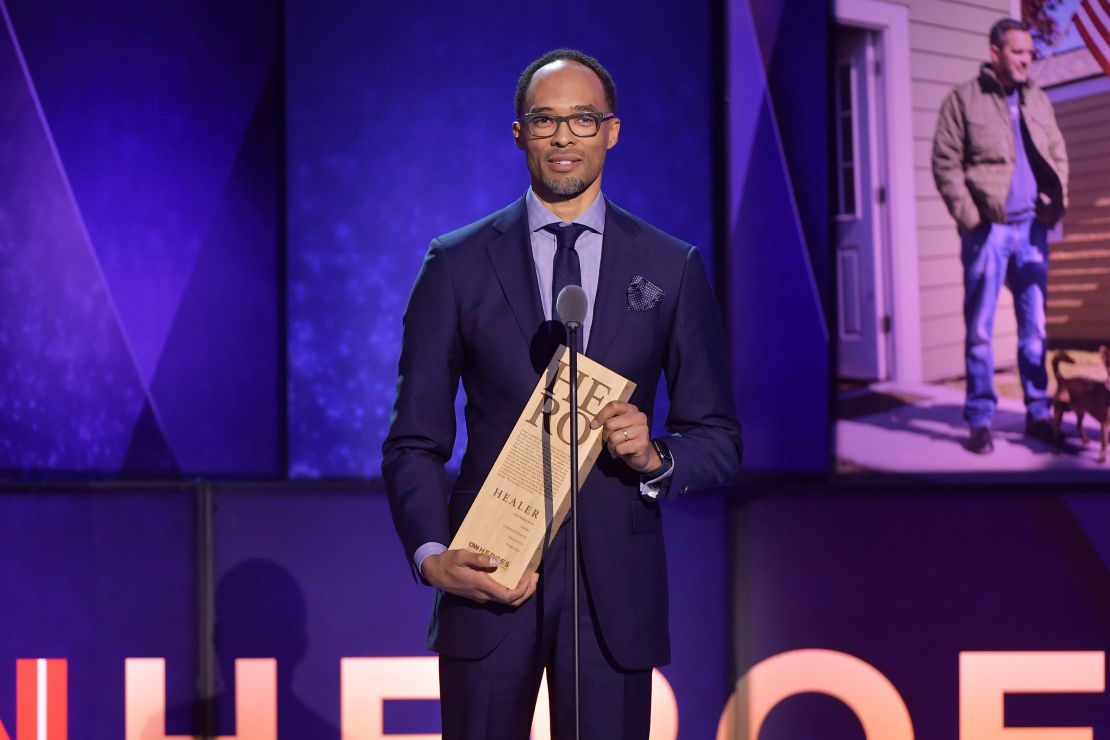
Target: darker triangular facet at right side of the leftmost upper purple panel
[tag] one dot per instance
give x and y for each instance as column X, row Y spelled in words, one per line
column 217, row 384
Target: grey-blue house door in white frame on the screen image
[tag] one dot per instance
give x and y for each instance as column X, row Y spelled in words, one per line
column 859, row 207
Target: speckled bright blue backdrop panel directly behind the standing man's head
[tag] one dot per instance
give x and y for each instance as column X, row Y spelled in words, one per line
column 395, row 140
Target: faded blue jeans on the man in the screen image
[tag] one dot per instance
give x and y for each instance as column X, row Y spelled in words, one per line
column 1015, row 255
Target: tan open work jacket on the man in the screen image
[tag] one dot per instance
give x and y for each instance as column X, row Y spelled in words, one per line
column 973, row 153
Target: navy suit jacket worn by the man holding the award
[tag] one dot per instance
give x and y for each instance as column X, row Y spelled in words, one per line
column 475, row 316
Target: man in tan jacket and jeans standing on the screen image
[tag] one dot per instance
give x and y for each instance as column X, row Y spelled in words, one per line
column 1000, row 163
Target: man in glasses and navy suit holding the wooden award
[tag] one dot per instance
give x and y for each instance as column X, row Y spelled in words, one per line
column 482, row 313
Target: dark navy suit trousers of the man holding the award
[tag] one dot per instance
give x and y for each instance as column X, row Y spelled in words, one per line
column 496, row 697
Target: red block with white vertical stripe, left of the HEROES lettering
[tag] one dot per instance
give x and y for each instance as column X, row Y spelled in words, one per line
column 41, row 701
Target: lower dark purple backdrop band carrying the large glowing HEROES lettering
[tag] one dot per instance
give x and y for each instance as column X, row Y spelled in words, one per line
column 877, row 600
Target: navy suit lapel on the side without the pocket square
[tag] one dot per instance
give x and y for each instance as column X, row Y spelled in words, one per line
column 511, row 256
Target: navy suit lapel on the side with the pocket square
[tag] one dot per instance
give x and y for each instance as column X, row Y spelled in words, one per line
column 619, row 266
